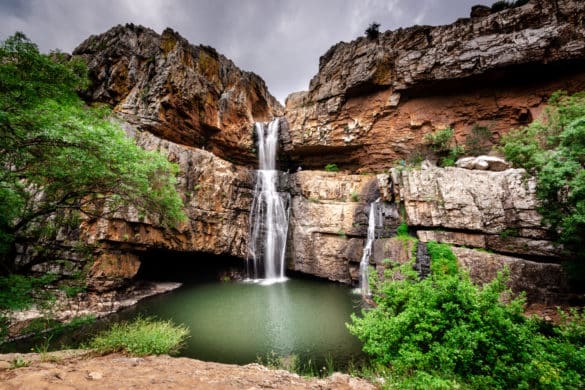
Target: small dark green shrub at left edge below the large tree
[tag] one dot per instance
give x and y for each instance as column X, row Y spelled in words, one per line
column 18, row 292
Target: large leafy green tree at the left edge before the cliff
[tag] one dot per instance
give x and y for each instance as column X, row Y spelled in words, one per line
column 59, row 157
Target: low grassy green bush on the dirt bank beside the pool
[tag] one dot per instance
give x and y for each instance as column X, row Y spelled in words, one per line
column 143, row 336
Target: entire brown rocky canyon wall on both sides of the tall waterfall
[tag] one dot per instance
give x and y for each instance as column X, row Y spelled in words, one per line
column 367, row 110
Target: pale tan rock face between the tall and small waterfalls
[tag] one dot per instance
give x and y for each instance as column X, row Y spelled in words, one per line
column 329, row 220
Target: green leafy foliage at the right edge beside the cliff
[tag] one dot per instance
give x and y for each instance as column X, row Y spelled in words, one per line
column 553, row 149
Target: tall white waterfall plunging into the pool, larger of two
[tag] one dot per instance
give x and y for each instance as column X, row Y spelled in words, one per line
column 269, row 213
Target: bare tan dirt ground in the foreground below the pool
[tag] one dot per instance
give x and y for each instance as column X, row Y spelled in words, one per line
column 76, row 369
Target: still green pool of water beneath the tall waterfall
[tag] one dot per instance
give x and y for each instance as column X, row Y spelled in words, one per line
column 237, row 322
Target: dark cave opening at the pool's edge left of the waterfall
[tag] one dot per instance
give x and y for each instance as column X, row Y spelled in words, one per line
column 189, row 267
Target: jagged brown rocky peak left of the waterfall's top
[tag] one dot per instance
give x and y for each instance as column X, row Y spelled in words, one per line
column 191, row 95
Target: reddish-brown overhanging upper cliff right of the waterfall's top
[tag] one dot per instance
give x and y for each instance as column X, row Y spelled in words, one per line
column 374, row 100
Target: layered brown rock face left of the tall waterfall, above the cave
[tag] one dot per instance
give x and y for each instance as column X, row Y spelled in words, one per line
column 217, row 196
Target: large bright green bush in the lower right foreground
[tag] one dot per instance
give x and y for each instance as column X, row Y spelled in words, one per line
column 445, row 332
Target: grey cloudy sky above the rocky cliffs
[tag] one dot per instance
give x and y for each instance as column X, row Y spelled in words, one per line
column 280, row 40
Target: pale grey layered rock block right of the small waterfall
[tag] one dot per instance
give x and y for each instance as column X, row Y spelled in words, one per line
column 481, row 209
